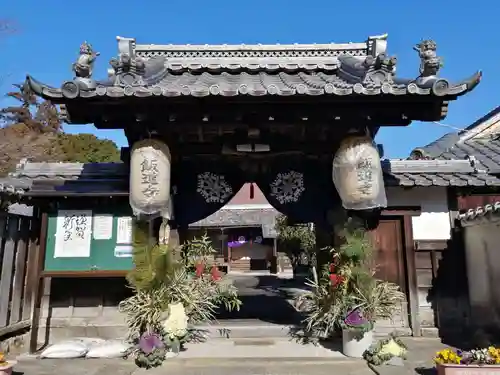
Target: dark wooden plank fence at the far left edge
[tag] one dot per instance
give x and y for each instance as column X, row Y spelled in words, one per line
column 18, row 236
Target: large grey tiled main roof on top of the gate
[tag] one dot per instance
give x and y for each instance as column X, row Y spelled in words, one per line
column 256, row 70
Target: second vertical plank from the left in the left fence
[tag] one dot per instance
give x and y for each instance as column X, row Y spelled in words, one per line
column 20, row 270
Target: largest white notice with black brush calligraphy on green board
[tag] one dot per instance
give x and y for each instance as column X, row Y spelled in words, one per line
column 73, row 234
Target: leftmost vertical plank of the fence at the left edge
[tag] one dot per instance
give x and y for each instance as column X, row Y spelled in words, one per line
column 7, row 274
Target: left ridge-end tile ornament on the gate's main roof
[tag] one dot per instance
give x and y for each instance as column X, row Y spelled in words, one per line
column 127, row 69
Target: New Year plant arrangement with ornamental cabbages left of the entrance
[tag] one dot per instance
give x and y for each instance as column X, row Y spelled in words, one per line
column 172, row 294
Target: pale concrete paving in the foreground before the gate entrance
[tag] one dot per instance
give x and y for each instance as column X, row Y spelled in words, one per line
column 233, row 357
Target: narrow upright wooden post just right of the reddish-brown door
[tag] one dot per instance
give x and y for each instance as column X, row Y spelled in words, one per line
column 411, row 276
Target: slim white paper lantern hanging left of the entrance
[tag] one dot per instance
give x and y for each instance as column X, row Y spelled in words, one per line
column 150, row 166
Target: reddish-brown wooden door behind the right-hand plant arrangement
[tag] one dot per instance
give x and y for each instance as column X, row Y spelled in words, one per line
column 388, row 253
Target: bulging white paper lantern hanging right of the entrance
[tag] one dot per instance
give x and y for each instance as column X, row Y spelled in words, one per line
column 357, row 174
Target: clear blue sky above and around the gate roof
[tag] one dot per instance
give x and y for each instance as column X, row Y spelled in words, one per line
column 50, row 33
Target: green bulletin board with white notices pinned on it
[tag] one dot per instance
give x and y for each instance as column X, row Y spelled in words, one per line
column 96, row 240
